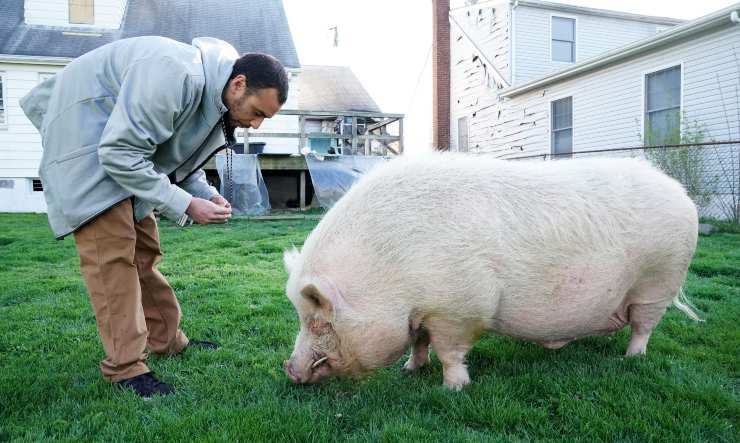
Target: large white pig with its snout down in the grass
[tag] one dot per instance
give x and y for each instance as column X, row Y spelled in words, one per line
column 436, row 250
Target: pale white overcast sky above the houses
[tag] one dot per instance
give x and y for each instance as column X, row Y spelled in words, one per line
column 387, row 44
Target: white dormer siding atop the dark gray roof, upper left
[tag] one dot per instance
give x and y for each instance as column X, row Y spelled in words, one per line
column 108, row 13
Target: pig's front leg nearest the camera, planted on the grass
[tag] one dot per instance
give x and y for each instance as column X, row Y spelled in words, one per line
column 451, row 342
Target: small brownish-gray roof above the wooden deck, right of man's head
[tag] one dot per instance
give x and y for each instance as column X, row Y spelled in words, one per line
column 332, row 88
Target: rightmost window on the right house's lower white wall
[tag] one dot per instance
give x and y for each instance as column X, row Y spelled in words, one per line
column 663, row 106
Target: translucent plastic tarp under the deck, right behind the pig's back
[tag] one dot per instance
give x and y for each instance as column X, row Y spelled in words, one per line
column 333, row 175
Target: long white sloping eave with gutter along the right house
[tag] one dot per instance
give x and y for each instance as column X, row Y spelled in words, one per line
column 716, row 20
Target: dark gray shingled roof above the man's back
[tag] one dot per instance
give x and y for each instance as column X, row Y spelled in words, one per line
column 249, row 25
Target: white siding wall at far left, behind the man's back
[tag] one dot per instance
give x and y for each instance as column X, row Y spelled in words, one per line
column 20, row 143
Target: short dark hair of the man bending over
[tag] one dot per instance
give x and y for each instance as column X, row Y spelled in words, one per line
column 262, row 71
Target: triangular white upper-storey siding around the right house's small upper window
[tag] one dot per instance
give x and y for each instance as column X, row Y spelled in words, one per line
column 594, row 35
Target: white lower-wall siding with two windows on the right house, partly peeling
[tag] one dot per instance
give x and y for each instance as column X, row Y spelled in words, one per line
column 608, row 103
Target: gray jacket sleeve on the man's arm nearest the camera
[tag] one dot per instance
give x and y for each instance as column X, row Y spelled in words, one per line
column 153, row 94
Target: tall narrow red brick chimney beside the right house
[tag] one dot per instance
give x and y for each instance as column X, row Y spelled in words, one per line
column 441, row 74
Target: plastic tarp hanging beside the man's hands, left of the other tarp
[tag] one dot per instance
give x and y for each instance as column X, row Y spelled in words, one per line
column 247, row 193
